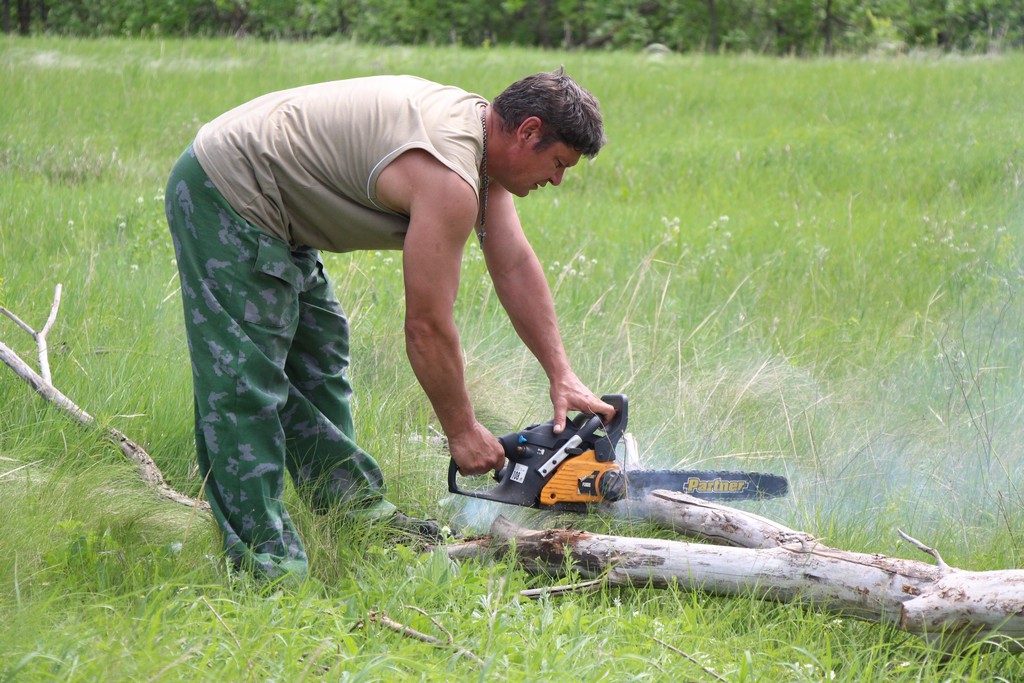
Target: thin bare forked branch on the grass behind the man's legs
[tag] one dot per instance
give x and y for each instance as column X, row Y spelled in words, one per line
column 44, row 386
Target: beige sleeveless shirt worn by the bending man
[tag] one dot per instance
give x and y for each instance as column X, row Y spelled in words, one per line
column 304, row 163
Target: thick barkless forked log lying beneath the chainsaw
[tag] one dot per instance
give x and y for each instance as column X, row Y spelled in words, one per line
column 952, row 609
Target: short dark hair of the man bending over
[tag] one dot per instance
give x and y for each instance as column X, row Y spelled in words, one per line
column 569, row 113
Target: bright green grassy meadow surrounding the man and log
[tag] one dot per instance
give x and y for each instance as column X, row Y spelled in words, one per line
column 812, row 268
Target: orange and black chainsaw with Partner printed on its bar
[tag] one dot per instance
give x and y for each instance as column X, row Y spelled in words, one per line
column 580, row 467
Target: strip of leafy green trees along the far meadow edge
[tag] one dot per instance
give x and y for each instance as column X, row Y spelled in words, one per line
column 774, row 27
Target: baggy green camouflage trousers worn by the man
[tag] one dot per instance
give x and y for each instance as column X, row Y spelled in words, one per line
column 270, row 353
